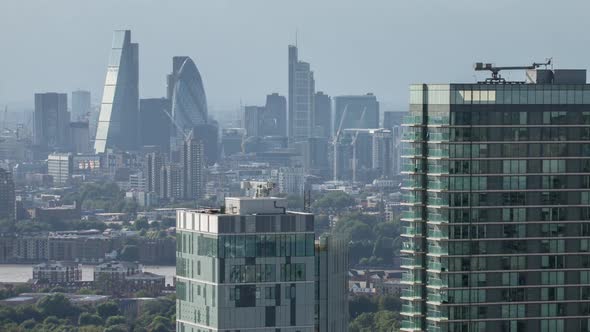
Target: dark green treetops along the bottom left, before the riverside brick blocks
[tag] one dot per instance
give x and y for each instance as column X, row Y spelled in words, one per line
column 56, row 313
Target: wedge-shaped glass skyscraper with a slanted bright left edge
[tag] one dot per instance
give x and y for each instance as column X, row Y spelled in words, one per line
column 119, row 111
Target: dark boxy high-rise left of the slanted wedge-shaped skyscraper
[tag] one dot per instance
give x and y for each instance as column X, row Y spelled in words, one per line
column 52, row 120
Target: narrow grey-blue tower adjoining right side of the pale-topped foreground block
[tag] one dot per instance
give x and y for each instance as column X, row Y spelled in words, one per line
column 331, row 284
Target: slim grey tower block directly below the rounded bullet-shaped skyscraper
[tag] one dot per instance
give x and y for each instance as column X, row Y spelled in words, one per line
column 192, row 159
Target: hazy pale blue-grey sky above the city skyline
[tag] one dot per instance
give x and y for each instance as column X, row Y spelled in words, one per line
column 240, row 47
